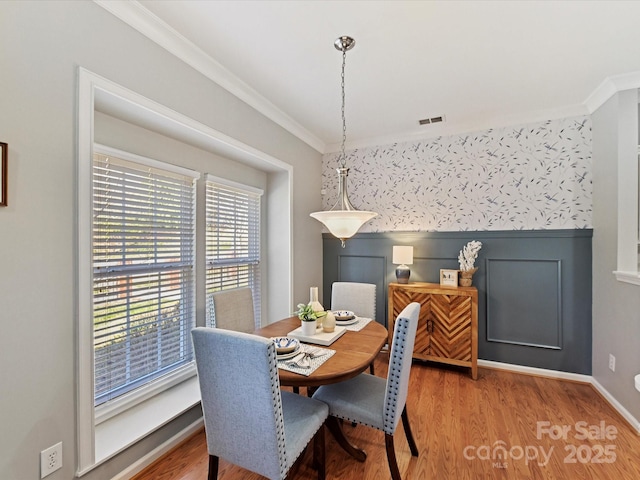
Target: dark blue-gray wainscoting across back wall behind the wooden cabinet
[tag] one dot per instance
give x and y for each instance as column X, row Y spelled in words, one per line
column 534, row 287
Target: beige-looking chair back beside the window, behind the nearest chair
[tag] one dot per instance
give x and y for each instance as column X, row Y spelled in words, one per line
column 233, row 310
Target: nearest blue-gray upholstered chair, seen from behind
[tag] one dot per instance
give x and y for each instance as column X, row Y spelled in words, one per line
column 248, row 420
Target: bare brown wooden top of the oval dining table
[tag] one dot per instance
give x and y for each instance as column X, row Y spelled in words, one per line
column 354, row 353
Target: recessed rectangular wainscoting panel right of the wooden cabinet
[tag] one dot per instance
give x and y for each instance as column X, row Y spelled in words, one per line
column 524, row 301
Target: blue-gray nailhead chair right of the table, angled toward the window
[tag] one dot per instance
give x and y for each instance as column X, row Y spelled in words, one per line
column 377, row 402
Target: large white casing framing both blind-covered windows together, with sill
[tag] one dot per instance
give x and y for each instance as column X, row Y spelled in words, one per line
column 114, row 425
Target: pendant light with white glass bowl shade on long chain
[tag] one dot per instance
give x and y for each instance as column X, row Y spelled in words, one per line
column 343, row 220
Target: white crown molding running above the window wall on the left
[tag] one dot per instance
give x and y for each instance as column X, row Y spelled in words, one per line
column 142, row 20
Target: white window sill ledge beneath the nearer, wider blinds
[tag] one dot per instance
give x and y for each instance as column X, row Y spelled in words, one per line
column 122, row 430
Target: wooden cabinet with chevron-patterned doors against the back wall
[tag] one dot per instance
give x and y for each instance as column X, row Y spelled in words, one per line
column 448, row 324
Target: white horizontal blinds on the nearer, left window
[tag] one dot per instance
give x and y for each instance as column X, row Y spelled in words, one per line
column 143, row 260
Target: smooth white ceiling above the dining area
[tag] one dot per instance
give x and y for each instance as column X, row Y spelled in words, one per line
column 481, row 64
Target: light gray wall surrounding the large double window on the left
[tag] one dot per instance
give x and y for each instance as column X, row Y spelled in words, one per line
column 43, row 44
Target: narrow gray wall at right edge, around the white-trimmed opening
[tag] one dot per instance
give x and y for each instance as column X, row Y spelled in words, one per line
column 616, row 321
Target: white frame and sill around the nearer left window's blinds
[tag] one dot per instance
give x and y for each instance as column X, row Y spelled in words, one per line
column 110, row 428
